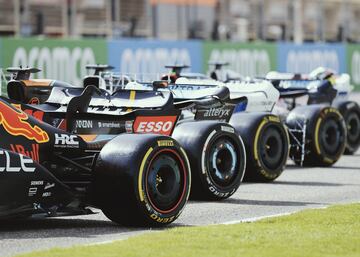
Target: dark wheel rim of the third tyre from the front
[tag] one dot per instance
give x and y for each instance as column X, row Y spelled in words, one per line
column 272, row 148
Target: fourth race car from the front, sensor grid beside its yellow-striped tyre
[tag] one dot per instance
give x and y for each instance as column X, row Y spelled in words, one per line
column 317, row 132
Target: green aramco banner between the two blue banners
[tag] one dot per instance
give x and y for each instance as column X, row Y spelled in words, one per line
column 248, row 59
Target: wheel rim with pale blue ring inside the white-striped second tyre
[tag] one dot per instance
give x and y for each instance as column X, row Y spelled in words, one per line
column 223, row 162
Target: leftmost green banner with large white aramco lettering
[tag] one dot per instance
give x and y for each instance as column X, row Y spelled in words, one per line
column 58, row 59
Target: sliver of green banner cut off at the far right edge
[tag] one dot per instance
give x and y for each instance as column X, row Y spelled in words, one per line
column 353, row 64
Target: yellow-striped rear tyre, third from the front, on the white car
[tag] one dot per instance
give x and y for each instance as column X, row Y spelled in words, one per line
column 266, row 142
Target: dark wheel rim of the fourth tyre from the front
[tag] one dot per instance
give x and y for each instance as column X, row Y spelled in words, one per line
column 330, row 136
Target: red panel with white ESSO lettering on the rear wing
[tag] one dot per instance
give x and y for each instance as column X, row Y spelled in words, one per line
column 155, row 124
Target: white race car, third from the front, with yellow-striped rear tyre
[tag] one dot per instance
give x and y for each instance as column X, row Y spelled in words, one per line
column 265, row 138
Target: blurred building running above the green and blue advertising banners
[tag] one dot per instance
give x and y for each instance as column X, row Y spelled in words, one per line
column 234, row 20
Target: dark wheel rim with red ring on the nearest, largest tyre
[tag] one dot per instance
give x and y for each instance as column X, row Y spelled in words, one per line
column 165, row 181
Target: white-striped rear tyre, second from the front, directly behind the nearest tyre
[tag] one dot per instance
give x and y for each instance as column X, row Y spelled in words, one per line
column 217, row 158
